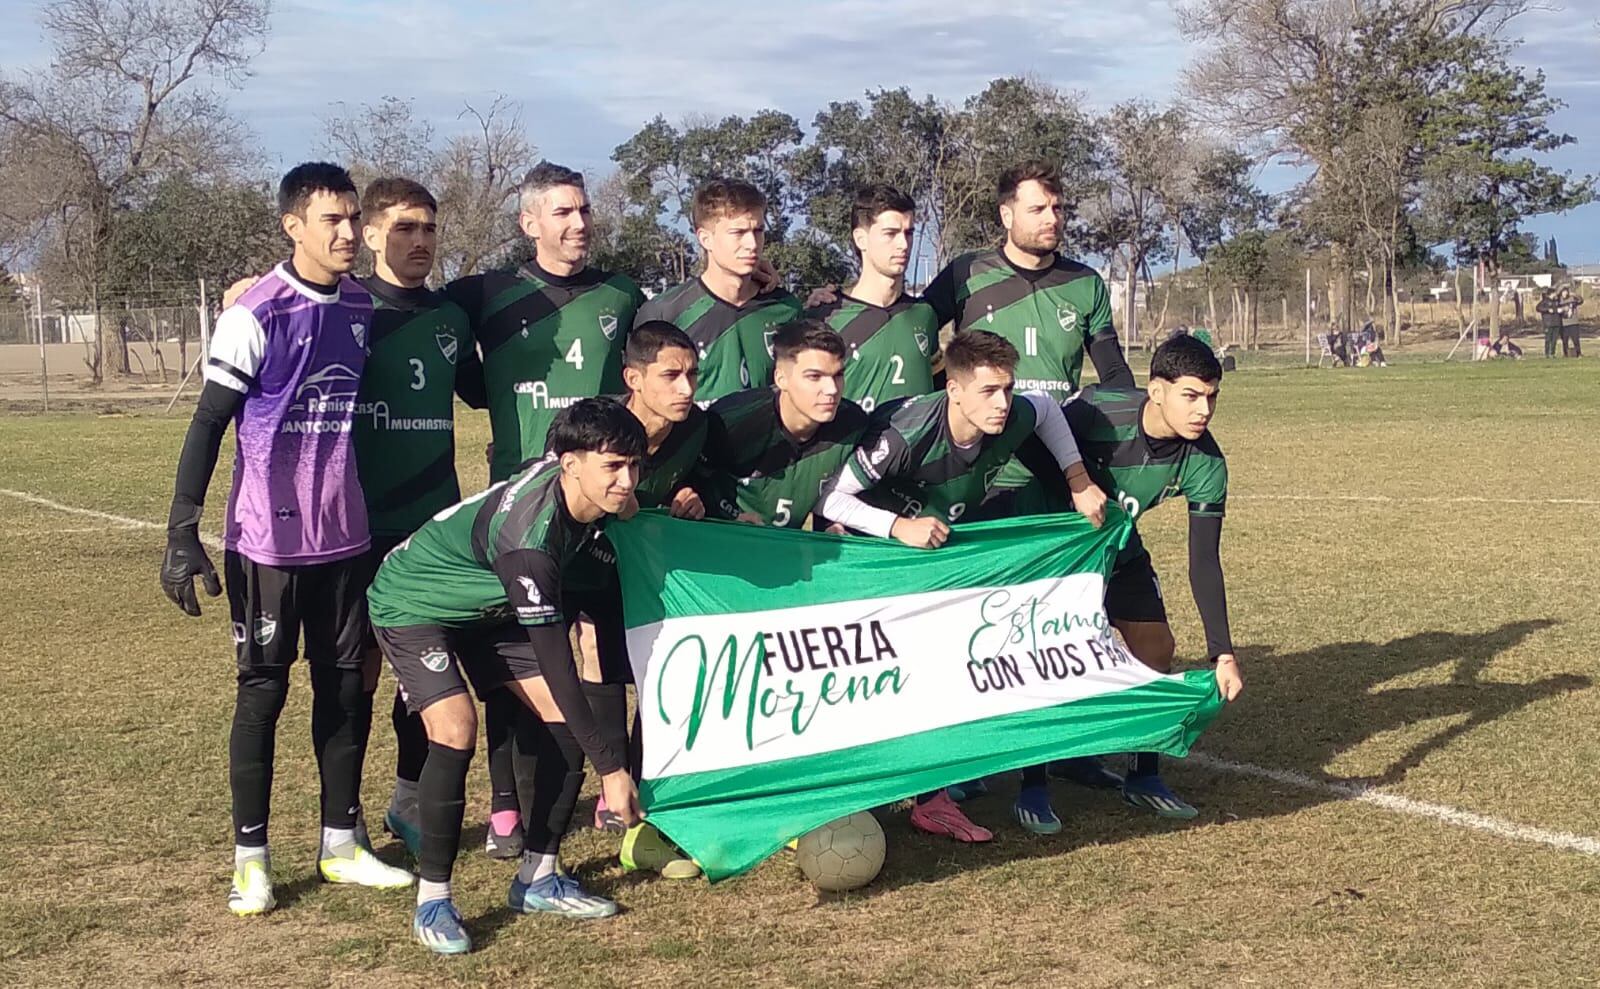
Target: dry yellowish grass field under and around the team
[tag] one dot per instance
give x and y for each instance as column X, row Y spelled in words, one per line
column 1412, row 572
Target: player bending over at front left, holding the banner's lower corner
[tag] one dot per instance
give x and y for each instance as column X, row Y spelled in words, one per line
column 476, row 595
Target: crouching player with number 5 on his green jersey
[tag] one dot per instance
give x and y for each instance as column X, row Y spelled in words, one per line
column 769, row 450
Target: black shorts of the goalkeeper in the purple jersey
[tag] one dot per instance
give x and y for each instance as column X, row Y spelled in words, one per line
column 273, row 607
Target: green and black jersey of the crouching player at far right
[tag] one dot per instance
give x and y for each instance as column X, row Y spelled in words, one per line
column 1137, row 470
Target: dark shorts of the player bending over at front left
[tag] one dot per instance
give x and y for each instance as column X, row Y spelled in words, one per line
column 434, row 663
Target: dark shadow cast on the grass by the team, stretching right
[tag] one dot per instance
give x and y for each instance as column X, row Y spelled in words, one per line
column 1314, row 705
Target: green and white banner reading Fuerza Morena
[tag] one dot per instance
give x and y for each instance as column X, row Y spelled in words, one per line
column 788, row 678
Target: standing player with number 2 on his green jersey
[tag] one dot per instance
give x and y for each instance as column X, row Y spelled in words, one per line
column 892, row 337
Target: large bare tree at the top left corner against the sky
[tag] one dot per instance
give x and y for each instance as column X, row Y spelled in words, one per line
column 121, row 105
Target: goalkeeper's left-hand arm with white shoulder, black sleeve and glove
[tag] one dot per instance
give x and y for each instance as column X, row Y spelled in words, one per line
column 238, row 350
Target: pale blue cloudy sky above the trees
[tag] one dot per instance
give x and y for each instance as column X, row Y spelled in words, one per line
column 590, row 76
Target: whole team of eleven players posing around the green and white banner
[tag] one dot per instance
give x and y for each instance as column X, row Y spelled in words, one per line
column 329, row 380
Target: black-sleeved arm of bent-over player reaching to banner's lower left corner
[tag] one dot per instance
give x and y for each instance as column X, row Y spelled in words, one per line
column 534, row 587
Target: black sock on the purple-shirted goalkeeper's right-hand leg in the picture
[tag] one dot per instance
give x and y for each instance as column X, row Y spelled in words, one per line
column 342, row 719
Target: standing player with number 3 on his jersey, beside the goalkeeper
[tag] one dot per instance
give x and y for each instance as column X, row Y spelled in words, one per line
column 420, row 356
